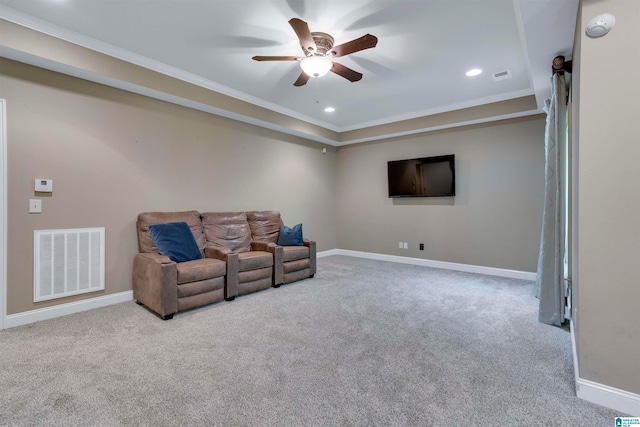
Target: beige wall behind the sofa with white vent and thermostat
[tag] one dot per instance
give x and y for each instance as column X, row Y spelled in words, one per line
column 113, row 154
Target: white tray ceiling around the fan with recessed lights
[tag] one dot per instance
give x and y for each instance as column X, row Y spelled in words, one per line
column 417, row 69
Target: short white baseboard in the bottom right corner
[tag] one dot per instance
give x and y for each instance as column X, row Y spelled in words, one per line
column 614, row 398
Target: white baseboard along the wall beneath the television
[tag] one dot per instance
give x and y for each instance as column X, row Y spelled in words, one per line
column 490, row 271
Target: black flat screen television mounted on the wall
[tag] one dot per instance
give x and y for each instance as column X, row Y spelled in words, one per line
column 423, row 177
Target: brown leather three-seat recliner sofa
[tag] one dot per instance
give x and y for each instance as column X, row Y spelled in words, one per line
column 240, row 255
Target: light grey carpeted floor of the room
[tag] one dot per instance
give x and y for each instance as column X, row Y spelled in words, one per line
column 364, row 343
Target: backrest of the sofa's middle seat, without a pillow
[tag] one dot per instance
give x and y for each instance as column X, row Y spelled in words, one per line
column 227, row 229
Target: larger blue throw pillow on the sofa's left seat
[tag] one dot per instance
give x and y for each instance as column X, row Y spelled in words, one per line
column 175, row 240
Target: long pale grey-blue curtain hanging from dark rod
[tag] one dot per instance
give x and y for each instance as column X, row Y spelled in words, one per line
column 550, row 277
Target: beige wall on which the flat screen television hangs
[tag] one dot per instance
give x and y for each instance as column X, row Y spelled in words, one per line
column 493, row 221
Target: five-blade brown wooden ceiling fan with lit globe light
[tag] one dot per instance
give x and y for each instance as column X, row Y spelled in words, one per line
column 318, row 53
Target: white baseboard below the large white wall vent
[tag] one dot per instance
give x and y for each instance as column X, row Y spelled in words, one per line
column 46, row 313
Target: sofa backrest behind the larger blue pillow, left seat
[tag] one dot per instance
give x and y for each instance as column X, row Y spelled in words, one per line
column 192, row 218
